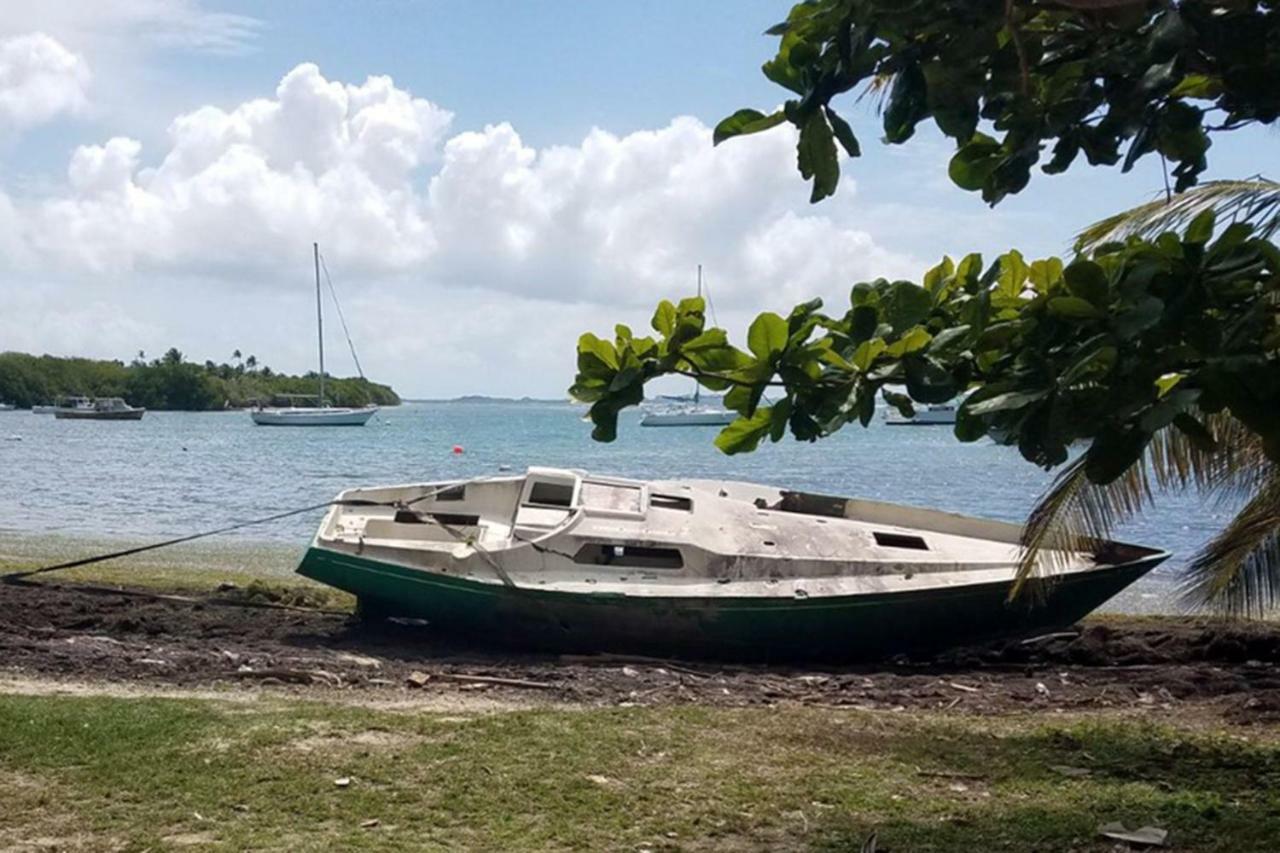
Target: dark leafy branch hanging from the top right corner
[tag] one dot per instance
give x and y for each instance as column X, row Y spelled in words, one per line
column 1018, row 81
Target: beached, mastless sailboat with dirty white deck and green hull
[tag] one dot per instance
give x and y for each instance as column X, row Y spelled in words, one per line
column 568, row 560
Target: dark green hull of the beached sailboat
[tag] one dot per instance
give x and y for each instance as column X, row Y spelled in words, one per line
column 834, row 628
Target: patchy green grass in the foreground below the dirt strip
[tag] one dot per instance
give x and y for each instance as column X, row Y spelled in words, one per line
column 157, row 773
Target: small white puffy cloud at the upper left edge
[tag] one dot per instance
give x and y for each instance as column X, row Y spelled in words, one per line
column 39, row 80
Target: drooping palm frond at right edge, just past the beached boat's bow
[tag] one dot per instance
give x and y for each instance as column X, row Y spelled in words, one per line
column 1238, row 572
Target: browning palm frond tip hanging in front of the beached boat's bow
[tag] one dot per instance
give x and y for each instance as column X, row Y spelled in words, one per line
column 1076, row 516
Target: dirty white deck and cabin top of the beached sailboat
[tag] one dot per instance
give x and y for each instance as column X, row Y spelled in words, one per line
column 573, row 532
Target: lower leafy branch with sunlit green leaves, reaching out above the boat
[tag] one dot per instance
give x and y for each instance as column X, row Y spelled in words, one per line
column 1108, row 350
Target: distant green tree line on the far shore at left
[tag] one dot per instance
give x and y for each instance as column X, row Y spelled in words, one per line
column 172, row 384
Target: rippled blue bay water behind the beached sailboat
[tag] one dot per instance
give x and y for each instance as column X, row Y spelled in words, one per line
column 177, row 473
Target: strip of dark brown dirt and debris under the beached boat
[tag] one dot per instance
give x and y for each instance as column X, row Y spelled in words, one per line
column 1163, row 667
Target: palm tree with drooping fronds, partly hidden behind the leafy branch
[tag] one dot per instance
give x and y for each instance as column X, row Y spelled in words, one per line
column 1238, row 572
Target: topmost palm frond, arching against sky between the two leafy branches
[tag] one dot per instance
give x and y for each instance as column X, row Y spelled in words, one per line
column 1255, row 200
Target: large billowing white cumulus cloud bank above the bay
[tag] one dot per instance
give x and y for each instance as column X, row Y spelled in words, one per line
column 369, row 172
